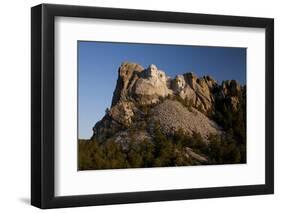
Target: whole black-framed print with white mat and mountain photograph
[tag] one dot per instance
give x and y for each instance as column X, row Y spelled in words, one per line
column 139, row 106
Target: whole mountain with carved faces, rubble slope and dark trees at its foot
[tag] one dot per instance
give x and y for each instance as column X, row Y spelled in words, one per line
column 158, row 120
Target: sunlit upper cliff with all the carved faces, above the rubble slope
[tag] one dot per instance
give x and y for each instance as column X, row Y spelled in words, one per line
column 146, row 86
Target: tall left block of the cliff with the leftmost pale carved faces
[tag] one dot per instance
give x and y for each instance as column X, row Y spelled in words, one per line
column 144, row 86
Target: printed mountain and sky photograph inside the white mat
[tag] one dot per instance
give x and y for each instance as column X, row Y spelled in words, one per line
column 160, row 105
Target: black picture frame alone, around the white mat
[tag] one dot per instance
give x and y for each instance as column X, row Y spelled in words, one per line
column 43, row 110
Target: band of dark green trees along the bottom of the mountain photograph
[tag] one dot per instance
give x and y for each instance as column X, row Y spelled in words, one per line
column 161, row 151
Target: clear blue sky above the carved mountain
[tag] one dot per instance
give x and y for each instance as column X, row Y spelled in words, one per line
column 98, row 64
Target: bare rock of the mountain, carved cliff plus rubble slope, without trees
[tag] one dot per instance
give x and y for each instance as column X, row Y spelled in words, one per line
column 138, row 87
